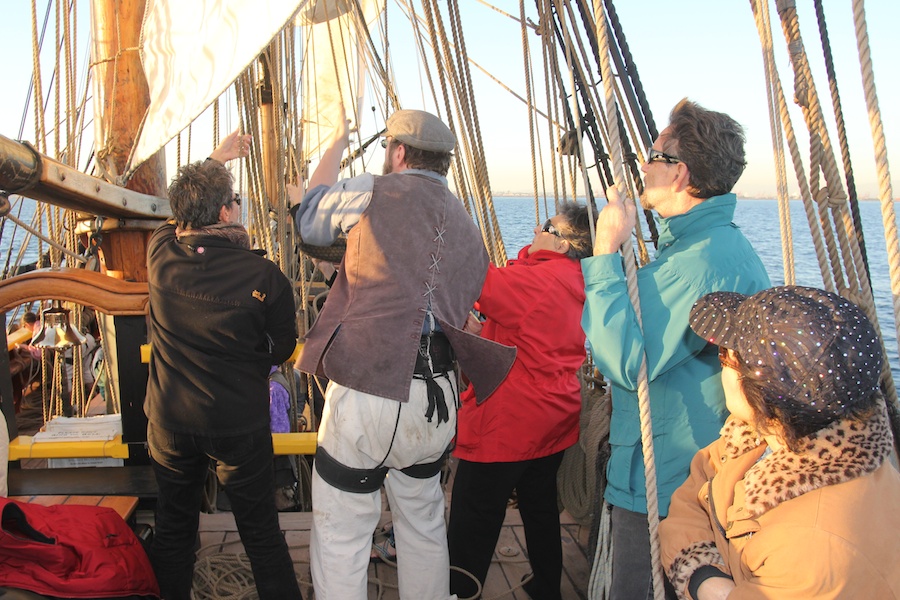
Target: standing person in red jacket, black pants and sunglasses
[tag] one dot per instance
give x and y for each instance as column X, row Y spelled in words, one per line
column 515, row 440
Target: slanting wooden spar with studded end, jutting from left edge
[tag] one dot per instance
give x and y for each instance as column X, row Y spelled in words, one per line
column 26, row 172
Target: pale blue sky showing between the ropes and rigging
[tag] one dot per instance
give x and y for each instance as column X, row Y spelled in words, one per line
column 707, row 50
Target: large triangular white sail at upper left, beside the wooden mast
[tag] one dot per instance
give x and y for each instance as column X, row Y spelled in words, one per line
column 192, row 51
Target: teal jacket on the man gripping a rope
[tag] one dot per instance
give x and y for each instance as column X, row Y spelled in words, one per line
column 699, row 252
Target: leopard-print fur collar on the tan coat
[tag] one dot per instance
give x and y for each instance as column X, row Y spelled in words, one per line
column 841, row 452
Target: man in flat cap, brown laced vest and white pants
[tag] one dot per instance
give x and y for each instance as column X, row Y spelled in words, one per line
column 388, row 339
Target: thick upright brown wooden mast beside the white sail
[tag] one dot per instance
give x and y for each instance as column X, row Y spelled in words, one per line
column 121, row 98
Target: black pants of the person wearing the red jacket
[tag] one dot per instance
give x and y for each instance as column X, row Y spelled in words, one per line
column 477, row 509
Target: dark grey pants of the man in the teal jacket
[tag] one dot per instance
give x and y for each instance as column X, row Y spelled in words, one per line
column 632, row 575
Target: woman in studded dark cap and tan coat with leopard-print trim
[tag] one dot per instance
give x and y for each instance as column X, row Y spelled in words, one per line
column 796, row 499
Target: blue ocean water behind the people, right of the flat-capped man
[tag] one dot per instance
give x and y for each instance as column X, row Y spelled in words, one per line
column 758, row 219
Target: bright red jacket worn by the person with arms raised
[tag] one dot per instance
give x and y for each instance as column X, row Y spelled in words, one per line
column 535, row 304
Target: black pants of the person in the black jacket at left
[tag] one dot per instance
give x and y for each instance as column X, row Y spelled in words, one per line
column 244, row 467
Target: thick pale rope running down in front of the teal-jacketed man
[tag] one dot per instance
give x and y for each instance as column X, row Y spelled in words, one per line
column 631, row 279
